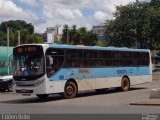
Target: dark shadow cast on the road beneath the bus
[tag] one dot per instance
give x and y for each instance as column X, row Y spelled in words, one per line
column 57, row 97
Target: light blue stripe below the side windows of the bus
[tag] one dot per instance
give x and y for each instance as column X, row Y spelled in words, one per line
column 84, row 73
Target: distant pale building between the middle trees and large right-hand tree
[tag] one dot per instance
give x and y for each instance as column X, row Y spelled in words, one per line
column 100, row 31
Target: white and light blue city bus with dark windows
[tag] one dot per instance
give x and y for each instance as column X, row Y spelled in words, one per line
column 43, row 69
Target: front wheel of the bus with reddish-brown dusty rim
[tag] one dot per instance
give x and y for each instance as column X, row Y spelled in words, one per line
column 70, row 90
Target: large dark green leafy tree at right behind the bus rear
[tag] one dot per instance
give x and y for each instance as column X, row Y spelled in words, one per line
column 135, row 24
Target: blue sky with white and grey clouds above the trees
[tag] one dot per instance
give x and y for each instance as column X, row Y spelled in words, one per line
column 47, row 13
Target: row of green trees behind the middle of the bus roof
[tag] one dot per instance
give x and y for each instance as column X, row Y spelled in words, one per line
column 76, row 36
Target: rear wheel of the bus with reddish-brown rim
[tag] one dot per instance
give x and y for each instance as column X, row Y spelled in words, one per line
column 125, row 84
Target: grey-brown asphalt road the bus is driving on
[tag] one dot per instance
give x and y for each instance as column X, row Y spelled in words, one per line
column 90, row 102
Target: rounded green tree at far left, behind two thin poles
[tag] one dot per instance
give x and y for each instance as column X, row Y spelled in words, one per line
column 26, row 32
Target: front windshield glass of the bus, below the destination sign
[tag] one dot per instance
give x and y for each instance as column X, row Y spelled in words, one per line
column 29, row 65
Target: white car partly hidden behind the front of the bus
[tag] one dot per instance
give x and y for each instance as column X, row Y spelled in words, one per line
column 6, row 83
